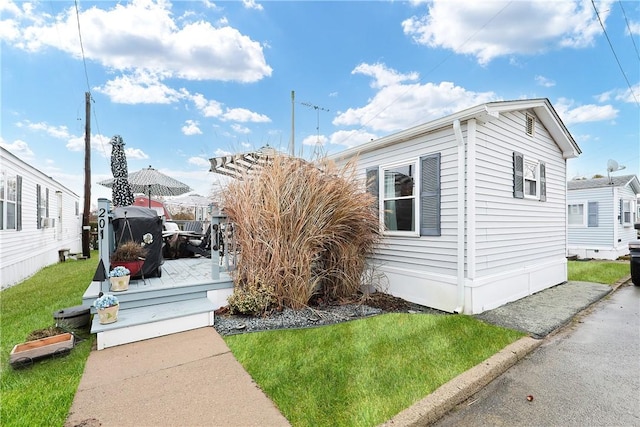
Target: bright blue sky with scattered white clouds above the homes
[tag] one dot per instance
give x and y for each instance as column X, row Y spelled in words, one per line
column 185, row 81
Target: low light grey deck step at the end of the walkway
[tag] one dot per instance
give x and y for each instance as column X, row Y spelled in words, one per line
column 141, row 323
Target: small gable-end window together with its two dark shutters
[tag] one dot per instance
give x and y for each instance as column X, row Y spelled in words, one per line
column 529, row 178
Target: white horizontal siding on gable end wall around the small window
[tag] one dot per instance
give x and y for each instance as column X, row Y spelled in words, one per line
column 517, row 231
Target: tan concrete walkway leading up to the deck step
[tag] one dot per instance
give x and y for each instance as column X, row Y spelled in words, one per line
column 185, row 379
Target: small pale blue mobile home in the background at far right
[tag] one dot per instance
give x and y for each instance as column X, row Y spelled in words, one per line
column 601, row 216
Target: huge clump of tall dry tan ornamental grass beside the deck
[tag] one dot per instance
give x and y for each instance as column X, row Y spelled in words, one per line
column 304, row 231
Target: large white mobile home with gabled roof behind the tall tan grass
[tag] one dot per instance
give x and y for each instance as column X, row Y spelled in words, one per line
column 472, row 205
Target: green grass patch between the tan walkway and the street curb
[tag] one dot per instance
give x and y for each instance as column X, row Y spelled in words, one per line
column 362, row 373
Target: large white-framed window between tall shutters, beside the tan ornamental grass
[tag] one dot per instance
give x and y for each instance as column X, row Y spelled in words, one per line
column 399, row 197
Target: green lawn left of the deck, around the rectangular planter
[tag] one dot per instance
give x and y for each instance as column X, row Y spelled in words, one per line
column 42, row 394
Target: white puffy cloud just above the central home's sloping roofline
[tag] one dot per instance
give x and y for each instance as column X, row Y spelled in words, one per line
column 399, row 106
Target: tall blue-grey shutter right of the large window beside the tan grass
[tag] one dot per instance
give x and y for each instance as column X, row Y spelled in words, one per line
column 430, row 195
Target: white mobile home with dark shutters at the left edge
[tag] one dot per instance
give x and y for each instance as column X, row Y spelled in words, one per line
column 38, row 217
